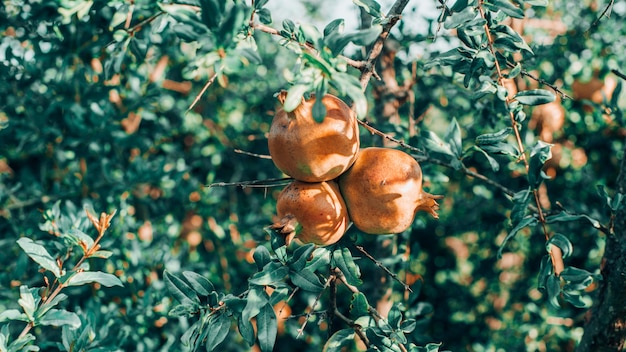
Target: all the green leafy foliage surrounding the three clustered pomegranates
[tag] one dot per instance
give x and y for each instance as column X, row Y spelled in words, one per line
column 155, row 115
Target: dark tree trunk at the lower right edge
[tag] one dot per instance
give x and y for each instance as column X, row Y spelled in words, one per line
column 605, row 328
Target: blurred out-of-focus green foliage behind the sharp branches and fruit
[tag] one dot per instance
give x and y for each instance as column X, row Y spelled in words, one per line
column 86, row 120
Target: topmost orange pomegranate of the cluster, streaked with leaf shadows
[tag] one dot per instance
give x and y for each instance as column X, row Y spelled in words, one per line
column 314, row 151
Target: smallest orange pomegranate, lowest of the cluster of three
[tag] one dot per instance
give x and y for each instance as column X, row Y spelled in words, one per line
column 312, row 212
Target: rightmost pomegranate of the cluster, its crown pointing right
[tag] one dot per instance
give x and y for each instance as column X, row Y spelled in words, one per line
column 383, row 191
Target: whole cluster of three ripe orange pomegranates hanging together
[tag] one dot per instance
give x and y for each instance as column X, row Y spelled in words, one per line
column 335, row 182
